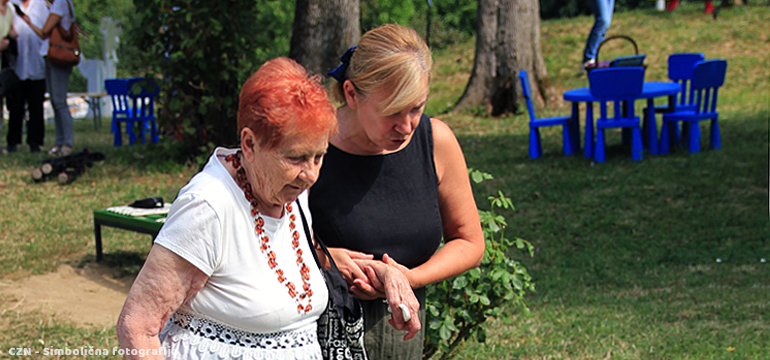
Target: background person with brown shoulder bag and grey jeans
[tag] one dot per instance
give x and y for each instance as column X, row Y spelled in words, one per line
column 57, row 78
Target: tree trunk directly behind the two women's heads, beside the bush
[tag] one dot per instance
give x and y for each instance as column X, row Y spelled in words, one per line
column 322, row 31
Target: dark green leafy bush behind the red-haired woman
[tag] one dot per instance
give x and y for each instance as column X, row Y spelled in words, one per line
column 201, row 51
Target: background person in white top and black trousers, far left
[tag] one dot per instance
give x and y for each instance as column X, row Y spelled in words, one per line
column 30, row 67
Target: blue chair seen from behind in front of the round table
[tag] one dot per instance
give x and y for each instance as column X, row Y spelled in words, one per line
column 620, row 86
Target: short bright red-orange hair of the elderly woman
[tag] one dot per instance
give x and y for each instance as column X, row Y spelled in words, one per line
column 282, row 99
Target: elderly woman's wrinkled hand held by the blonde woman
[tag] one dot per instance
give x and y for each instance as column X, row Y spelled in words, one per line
column 391, row 282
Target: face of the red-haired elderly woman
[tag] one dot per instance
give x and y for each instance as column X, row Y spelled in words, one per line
column 289, row 169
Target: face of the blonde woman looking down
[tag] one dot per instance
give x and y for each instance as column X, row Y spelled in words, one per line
column 389, row 132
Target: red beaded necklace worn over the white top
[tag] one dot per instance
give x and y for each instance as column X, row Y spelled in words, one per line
column 304, row 270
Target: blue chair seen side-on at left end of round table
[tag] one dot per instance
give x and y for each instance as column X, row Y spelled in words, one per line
column 535, row 146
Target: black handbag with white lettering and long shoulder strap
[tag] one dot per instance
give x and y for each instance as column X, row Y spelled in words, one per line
column 341, row 326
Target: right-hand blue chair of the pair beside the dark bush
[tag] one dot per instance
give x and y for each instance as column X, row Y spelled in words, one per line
column 141, row 95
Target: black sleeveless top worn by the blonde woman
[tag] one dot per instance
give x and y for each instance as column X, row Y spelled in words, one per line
column 380, row 204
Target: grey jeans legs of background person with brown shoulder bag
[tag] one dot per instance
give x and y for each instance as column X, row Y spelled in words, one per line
column 57, row 79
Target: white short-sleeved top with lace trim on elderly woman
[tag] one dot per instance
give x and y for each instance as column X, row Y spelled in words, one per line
column 243, row 310
